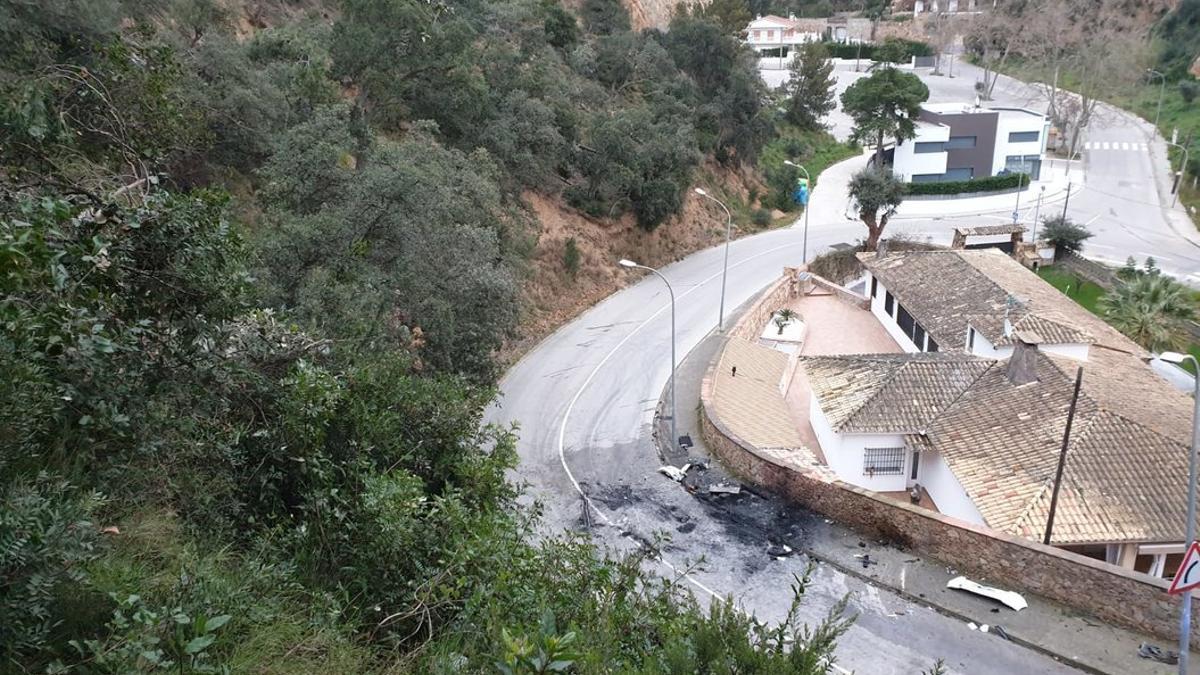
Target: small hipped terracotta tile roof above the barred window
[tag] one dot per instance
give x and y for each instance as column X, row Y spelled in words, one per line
column 887, row 393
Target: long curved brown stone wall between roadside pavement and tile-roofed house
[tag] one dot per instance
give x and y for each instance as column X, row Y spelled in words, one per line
column 1109, row 593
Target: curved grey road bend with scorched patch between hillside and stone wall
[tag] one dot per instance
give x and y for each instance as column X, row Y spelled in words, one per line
column 585, row 399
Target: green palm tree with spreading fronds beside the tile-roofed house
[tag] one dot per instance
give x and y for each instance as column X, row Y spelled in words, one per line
column 1150, row 310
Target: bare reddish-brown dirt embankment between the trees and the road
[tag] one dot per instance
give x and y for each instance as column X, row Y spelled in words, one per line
column 554, row 297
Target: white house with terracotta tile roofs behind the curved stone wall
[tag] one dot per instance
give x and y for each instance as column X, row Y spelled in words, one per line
column 975, row 413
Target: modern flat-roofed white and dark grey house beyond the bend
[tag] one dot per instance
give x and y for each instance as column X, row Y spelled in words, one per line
column 962, row 142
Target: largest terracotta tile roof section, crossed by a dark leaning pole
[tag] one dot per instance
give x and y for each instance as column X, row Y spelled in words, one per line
column 1124, row 482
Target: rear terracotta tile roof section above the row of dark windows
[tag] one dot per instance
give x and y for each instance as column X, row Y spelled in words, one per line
column 945, row 291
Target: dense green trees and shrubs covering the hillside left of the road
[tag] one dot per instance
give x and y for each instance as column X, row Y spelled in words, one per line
column 257, row 262
